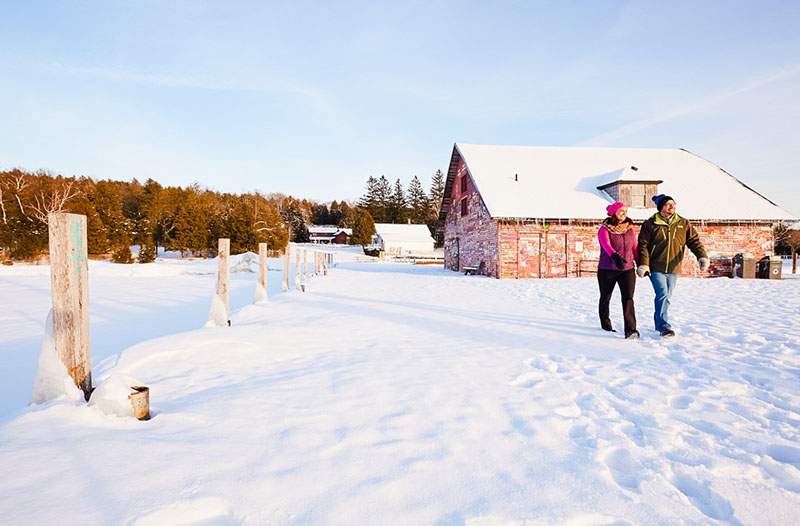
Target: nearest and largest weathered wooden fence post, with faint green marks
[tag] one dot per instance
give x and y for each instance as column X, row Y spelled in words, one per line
column 69, row 281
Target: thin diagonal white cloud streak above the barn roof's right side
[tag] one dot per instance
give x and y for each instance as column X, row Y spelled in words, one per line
column 712, row 100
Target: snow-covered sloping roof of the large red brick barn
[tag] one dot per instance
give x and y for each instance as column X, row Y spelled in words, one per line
column 562, row 182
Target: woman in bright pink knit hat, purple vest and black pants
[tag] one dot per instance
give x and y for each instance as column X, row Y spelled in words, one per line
column 618, row 251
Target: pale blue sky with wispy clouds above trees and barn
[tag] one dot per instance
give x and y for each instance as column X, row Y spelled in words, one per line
column 311, row 98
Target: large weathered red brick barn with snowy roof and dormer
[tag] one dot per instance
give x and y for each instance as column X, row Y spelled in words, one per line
column 533, row 212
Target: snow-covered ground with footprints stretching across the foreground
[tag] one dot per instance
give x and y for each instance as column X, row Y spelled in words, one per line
column 399, row 394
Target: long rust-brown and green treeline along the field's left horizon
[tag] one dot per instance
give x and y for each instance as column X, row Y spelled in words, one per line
column 120, row 214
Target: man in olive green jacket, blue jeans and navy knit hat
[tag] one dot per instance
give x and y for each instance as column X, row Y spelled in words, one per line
column 662, row 240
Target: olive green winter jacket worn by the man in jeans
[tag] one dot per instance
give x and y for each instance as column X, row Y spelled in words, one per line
column 661, row 245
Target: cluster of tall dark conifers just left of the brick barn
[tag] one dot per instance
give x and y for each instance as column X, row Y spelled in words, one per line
column 393, row 204
